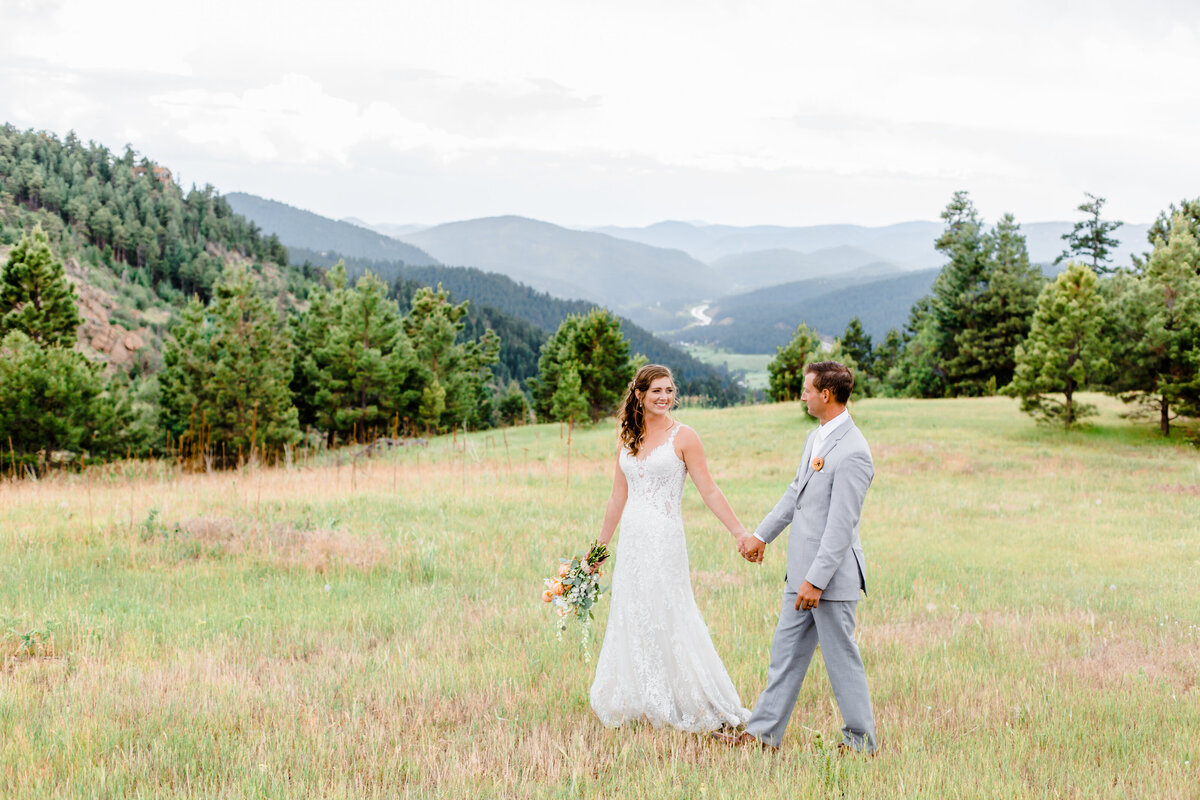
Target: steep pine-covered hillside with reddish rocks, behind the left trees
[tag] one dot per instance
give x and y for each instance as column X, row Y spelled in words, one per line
column 133, row 242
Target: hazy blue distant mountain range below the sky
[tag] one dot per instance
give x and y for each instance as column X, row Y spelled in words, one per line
column 760, row 281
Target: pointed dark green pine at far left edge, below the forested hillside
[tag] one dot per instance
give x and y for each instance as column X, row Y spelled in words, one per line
column 35, row 296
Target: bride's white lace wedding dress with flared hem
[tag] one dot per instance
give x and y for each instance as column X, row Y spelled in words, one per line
column 658, row 663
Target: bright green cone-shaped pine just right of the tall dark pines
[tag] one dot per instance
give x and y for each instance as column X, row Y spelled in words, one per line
column 1065, row 351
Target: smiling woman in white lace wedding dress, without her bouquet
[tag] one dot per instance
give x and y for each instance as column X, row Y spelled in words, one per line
column 658, row 663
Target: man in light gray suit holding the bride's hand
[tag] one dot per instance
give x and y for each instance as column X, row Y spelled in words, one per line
column 825, row 568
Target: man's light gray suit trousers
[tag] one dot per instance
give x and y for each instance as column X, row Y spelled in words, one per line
column 832, row 625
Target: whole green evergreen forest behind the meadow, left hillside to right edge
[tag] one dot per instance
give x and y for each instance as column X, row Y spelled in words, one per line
column 139, row 318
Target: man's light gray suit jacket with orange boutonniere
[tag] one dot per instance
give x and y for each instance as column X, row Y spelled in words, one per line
column 824, row 509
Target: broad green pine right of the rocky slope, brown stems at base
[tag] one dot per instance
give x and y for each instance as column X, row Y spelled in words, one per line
column 226, row 381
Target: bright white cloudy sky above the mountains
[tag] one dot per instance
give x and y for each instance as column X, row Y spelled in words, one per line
column 629, row 113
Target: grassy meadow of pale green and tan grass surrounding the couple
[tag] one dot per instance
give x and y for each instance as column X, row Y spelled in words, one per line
column 374, row 628
